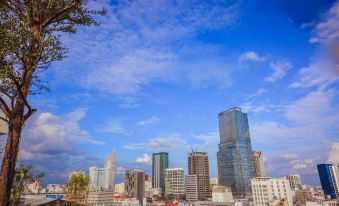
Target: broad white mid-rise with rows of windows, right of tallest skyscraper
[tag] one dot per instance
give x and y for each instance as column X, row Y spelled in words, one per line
column 266, row 190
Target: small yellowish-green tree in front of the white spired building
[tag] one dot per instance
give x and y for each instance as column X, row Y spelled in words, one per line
column 77, row 188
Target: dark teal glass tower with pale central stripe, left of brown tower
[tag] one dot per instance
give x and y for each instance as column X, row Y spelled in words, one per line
column 159, row 165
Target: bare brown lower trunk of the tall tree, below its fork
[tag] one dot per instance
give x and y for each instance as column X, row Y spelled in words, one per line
column 9, row 160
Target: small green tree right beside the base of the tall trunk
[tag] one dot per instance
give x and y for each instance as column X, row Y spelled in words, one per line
column 24, row 175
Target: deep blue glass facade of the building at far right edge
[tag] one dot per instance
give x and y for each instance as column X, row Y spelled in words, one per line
column 327, row 180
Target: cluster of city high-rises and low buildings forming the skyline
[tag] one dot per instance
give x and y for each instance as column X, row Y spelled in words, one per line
column 241, row 177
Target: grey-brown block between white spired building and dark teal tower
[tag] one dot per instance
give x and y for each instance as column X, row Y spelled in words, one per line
column 135, row 184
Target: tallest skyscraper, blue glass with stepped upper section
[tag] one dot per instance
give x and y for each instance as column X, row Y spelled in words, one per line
column 235, row 159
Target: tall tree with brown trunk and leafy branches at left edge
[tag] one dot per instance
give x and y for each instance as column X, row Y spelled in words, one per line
column 30, row 41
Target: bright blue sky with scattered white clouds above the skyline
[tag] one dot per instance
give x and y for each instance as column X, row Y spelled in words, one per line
column 154, row 76
